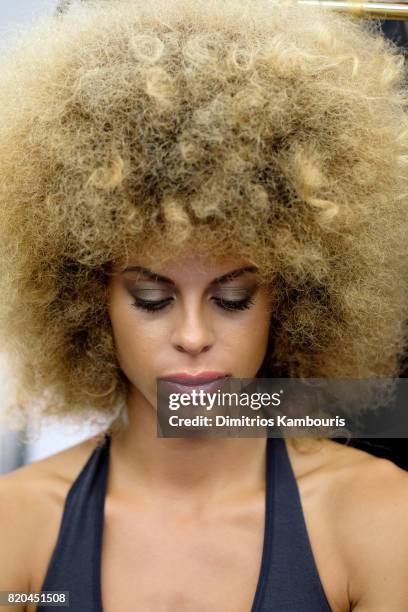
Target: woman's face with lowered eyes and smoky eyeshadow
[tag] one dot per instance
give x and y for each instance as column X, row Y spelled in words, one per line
column 188, row 315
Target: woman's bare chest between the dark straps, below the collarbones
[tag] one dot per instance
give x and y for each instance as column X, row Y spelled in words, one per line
column 179, row 564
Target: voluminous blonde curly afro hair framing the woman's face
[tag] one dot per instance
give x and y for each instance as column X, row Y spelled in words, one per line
column 276, row 131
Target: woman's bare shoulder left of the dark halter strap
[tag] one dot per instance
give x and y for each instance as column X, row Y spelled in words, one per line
column 31, row 502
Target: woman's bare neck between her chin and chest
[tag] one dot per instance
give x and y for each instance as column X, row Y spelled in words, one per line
column 202, row 471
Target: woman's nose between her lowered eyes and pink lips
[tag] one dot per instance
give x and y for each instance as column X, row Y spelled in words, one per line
column 192, row 333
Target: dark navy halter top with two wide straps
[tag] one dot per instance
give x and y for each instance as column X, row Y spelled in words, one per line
column 288, row 578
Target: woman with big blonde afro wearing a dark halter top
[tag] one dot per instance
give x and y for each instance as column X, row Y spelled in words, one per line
column 206, row 189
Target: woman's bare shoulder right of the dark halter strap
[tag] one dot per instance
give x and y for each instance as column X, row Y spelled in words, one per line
column 366, row 501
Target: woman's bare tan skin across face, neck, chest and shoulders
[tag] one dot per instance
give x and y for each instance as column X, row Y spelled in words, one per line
column 197, row 527
